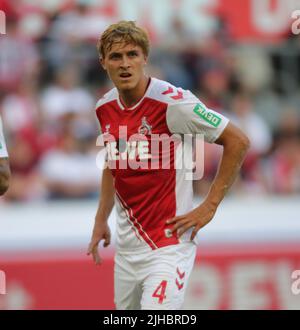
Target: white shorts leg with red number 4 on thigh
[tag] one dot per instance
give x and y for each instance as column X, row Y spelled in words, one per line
column 165, row 285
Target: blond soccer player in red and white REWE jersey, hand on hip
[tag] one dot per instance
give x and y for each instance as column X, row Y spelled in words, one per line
column 156, row 222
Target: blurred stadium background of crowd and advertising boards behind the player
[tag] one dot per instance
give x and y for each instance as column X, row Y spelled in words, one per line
column 239, row 56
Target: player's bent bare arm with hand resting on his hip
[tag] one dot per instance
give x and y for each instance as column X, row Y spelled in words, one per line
column 235, row 145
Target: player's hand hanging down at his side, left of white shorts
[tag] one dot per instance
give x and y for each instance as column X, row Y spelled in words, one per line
column 100, row 232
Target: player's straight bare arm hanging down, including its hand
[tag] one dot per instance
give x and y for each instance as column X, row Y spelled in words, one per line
column 101, row 229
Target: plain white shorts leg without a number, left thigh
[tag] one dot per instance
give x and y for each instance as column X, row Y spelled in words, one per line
column 127, row 291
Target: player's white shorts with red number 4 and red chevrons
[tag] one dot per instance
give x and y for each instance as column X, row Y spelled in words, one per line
column 153, row 280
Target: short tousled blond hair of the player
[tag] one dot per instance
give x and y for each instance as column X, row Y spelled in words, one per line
column 123, row 31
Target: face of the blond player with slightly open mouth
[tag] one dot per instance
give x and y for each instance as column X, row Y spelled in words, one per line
column 125, row 64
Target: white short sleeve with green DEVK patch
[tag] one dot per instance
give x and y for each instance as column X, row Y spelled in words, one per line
column 191, row 116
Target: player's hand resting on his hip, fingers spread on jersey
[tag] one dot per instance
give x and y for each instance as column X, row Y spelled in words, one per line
column 197, row 218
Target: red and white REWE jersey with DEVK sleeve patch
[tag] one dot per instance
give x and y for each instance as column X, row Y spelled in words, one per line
column 147, row 196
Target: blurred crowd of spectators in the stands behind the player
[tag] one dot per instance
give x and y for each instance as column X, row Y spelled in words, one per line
column 50, row 80
